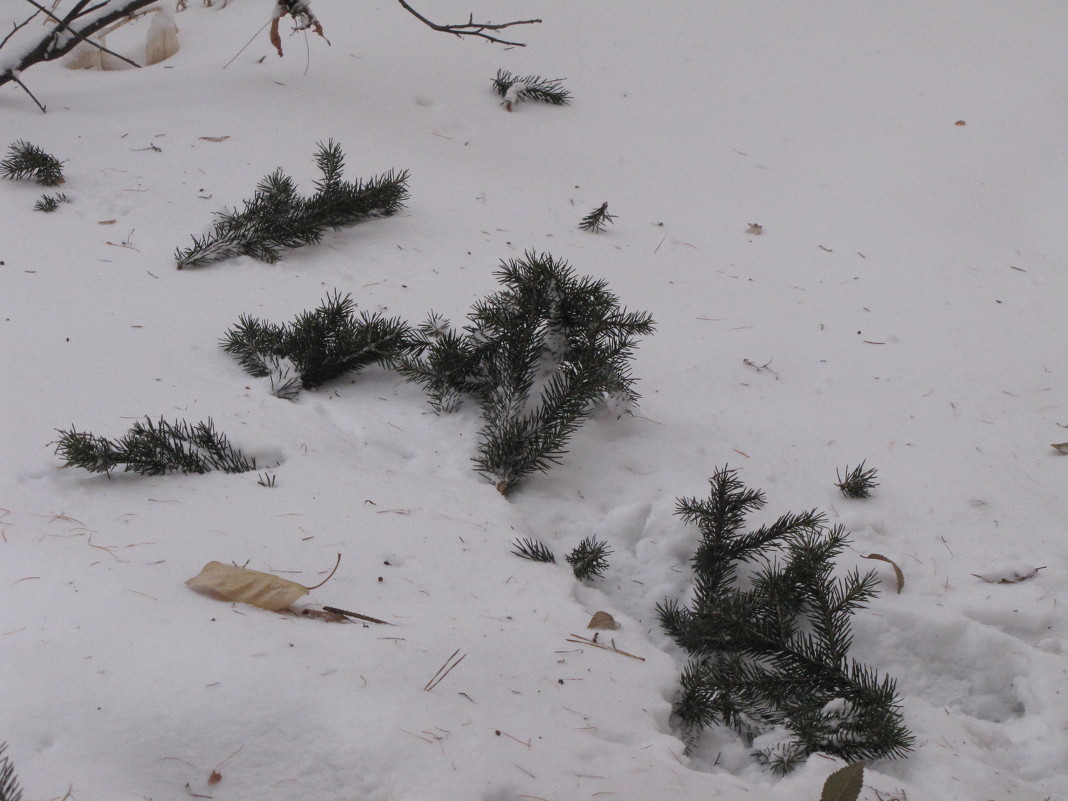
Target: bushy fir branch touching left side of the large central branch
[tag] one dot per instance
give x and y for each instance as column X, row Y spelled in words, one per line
column 318, row 347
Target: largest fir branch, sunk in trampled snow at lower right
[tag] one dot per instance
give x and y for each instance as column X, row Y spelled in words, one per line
column 769, row 633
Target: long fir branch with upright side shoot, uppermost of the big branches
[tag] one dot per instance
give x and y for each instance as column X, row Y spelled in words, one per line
column 278, row 217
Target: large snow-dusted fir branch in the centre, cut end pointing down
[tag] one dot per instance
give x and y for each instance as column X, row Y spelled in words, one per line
column 540, row 357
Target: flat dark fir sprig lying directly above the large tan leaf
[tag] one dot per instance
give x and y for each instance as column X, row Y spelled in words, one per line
column 154, row 449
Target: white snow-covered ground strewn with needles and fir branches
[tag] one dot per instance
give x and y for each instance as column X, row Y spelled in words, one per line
column 904, row 306
